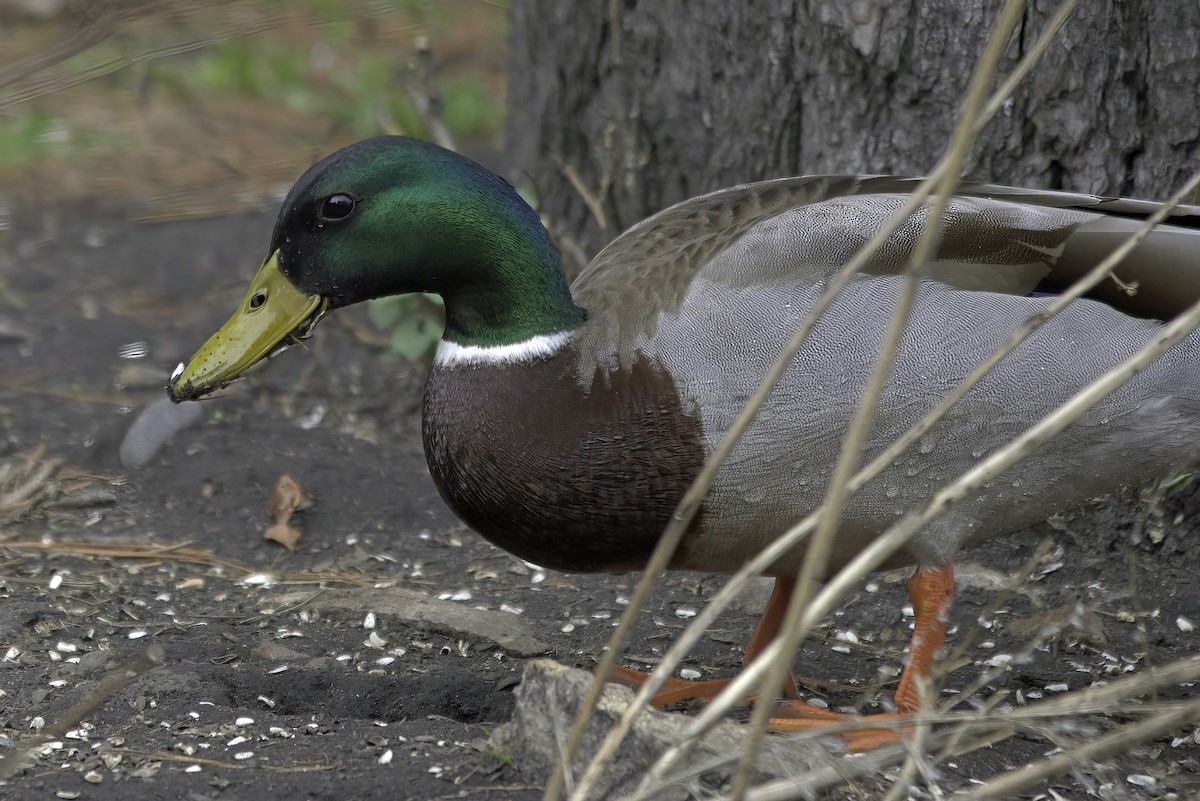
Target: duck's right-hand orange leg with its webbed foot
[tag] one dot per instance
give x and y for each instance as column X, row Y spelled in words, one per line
column 931, row 591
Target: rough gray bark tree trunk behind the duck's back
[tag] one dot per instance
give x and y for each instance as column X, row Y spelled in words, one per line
column 620, row 110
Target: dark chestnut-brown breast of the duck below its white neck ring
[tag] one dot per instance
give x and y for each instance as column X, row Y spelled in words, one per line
column 566, row 478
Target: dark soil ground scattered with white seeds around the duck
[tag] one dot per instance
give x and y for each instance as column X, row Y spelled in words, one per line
column 227, row 667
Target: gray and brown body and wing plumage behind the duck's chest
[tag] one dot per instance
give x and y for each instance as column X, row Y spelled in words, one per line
column 721, row 312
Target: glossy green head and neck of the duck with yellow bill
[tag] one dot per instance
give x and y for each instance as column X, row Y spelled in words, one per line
column 388, row 216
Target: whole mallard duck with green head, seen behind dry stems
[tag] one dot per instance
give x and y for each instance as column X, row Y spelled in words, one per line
column 565, row 423
